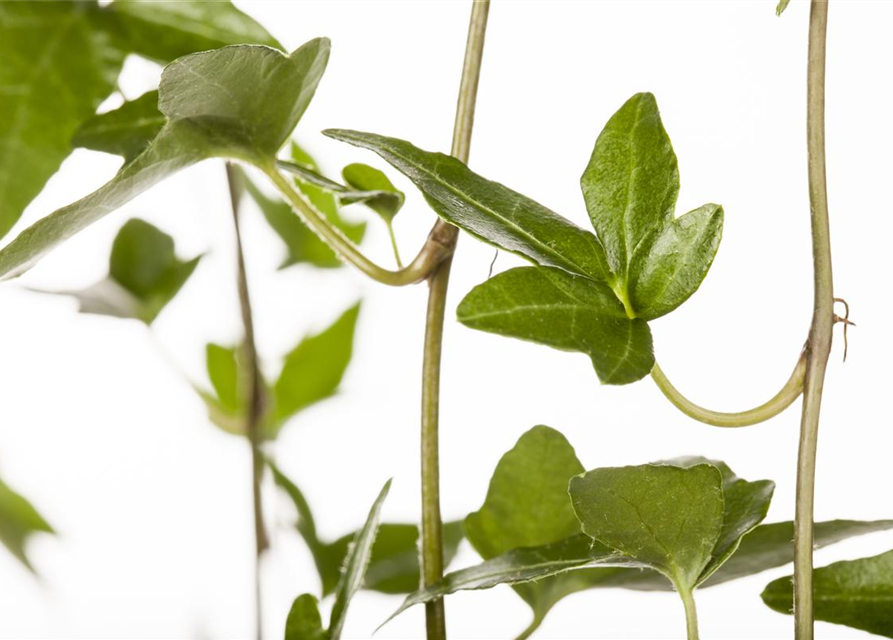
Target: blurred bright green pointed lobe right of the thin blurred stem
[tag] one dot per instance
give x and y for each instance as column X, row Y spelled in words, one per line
column 313, row 370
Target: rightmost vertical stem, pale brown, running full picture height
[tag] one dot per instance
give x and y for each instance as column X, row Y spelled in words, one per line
column 818, row 347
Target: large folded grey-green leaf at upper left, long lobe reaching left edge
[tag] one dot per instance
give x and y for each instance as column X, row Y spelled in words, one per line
column 238, row 102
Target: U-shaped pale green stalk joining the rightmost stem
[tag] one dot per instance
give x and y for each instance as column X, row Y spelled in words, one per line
column 769, row 409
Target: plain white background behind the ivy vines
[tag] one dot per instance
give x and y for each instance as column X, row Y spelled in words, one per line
column 152, row 503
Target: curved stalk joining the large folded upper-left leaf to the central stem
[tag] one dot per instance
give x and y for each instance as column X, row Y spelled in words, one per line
column 437, row 247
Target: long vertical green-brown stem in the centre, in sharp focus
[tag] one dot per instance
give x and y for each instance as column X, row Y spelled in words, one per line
column 432, row 525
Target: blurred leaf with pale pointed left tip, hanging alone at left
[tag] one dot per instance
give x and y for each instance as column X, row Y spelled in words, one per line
column 144, row 275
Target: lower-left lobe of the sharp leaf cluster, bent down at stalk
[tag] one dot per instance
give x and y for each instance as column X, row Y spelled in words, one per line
column 552, row 307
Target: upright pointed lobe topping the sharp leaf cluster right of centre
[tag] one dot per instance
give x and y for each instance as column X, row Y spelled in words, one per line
column 631, row 182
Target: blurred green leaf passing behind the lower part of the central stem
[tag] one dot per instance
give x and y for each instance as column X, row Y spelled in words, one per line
column 394, row 566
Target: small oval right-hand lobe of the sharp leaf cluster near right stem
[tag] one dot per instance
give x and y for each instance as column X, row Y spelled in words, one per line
column 677, row 262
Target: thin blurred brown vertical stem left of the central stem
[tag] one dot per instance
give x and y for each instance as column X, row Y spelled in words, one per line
column 254, row 418
